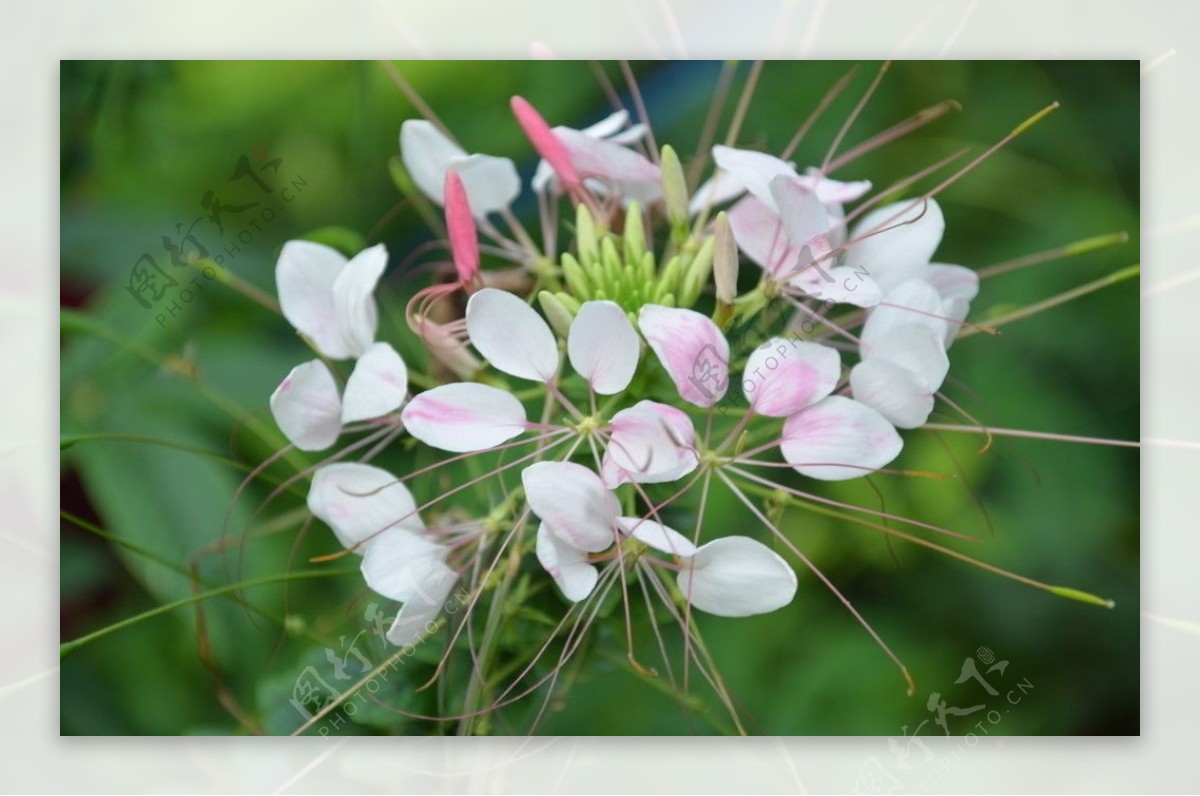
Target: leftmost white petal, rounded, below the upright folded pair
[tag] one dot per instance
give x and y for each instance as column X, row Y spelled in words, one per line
column 308, row 409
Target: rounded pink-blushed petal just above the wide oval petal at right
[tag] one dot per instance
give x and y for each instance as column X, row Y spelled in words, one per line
column 784, row 376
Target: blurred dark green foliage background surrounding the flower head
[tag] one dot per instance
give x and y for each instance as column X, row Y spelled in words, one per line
column 159, row 418
